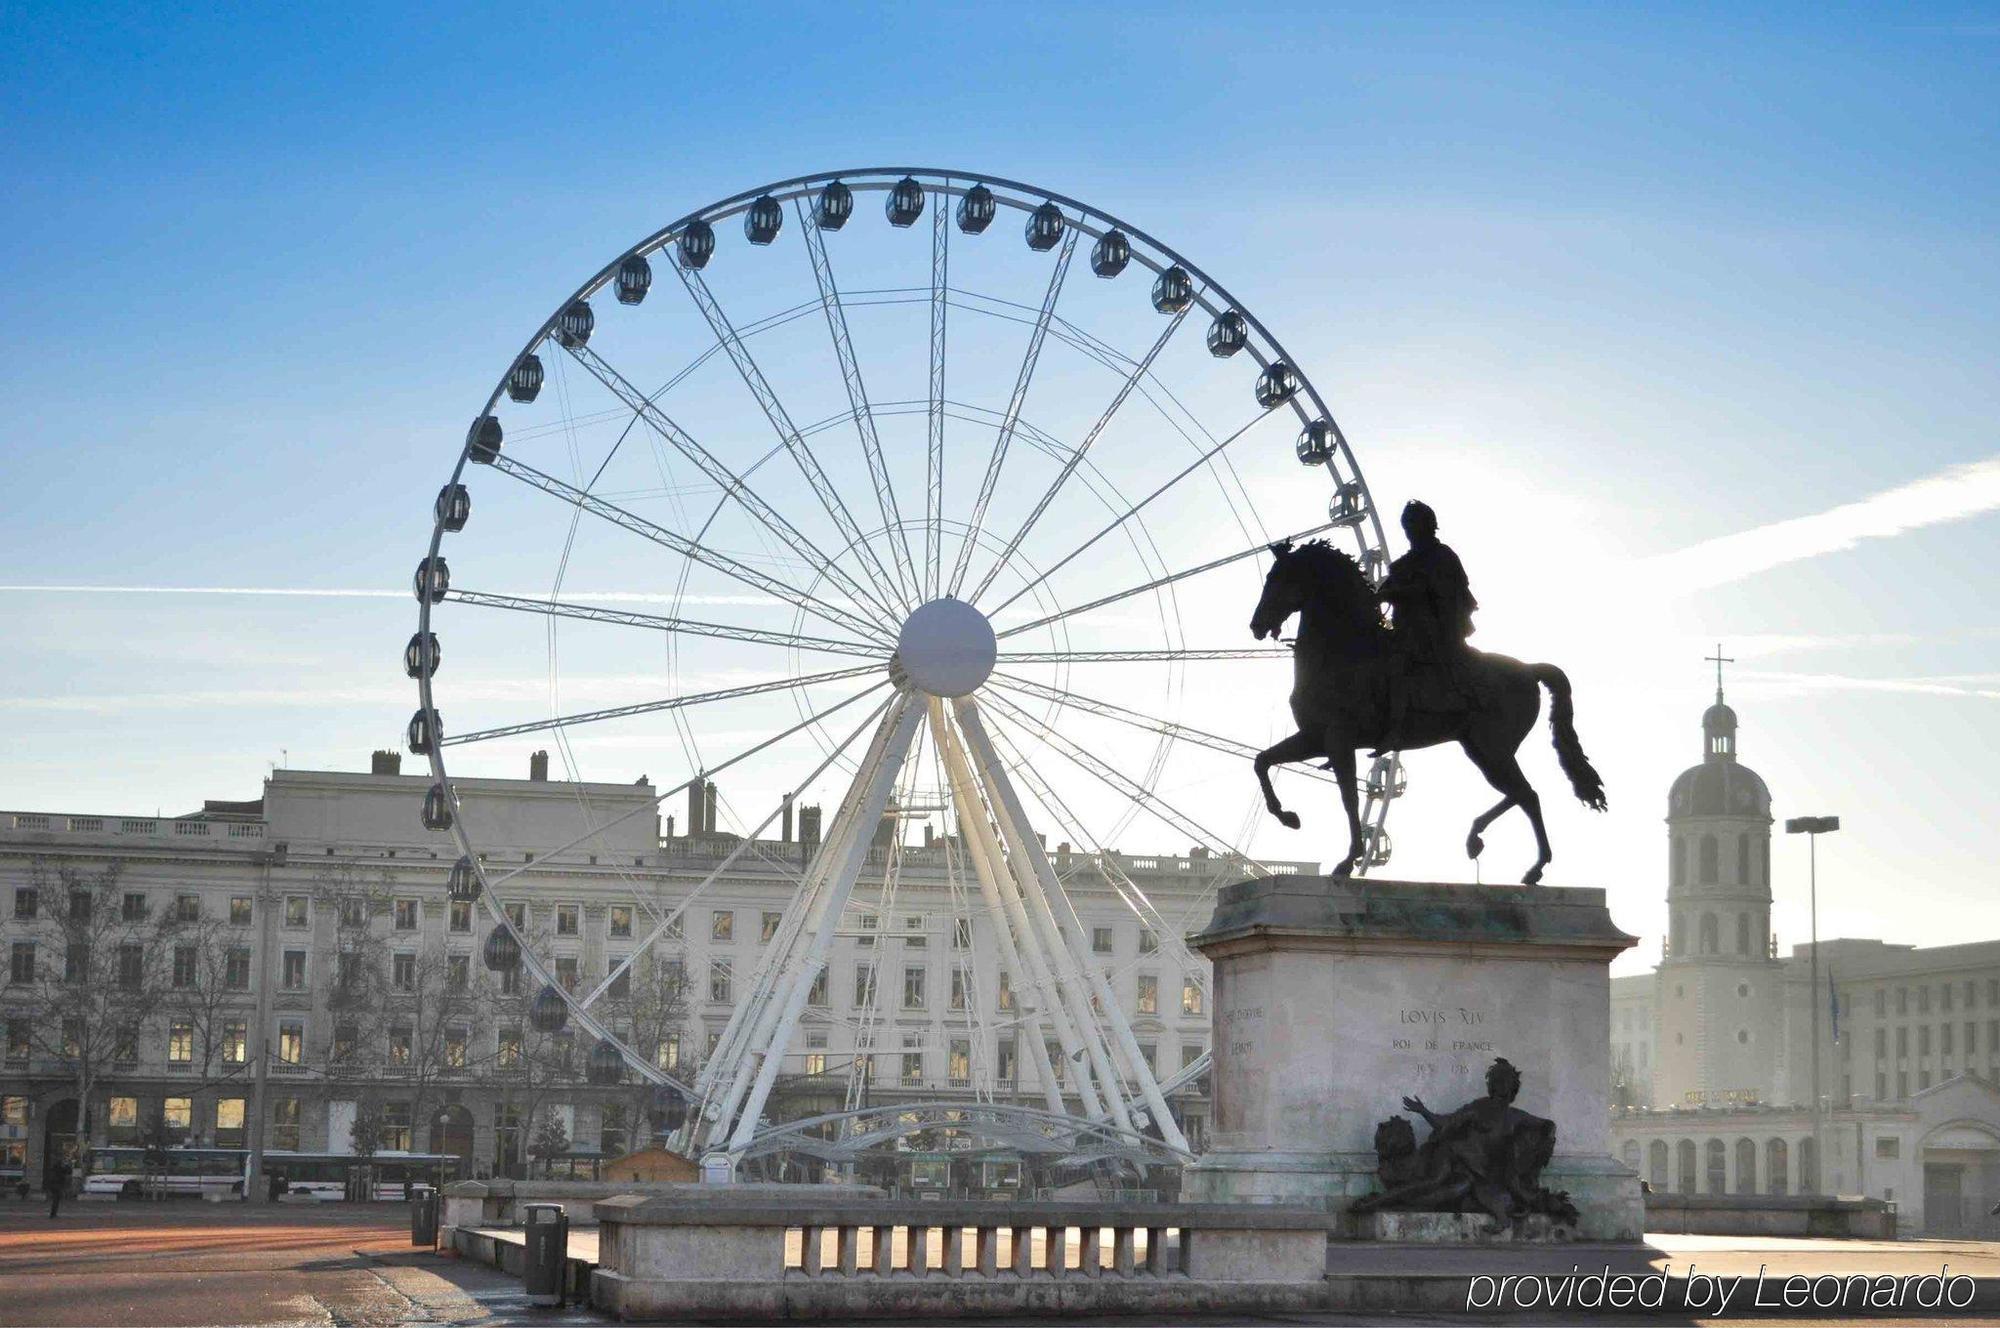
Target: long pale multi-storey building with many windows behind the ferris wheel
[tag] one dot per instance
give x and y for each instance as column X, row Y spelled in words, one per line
column 253, row 1013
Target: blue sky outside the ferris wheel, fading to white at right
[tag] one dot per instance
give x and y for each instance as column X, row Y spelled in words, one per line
column 1603, row 287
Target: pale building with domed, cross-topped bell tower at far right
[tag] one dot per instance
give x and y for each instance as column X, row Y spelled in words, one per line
column 1713, row 1051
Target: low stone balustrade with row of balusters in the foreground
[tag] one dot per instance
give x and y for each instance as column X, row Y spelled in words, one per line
column 749, row 1257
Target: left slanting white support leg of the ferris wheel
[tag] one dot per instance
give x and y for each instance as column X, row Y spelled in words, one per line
column 861, row 811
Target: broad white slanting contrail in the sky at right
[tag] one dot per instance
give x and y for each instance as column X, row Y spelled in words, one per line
column 1935, row 501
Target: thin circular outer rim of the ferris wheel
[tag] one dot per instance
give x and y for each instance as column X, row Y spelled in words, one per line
column 1209, row 295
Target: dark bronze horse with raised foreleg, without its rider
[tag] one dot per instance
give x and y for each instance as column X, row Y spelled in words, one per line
column 1343, row 669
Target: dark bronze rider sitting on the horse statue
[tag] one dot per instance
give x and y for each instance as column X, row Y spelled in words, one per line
column 1435, row 609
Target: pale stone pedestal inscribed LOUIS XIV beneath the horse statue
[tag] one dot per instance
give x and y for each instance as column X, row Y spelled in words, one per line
column 1335, row 999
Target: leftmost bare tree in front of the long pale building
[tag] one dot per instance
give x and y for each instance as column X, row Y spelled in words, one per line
column 97, row 973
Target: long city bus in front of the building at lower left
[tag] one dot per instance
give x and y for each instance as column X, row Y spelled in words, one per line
column 135, row 1173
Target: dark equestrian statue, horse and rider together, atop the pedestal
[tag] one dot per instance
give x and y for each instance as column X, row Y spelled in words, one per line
column 1407, row 683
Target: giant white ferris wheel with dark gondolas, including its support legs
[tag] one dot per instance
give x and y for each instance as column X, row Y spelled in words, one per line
column 905, row 491
